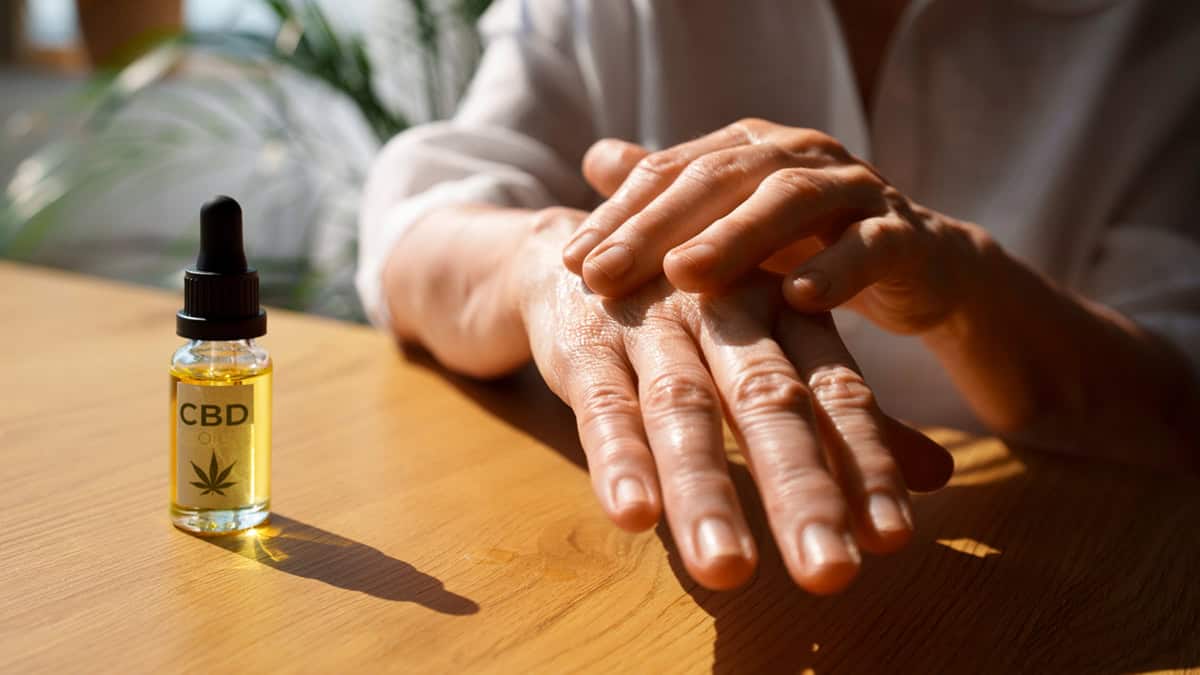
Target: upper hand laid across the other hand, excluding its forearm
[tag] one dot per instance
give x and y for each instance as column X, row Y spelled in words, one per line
column 789, row 200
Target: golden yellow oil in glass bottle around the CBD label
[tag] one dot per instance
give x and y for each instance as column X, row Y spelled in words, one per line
column 257, row 507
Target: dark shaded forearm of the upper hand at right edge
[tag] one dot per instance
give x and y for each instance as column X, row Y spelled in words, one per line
column 1046, row 367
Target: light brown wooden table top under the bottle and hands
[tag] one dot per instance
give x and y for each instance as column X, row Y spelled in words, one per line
column 431, row 524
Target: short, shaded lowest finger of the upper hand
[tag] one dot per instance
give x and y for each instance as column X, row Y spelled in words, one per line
column 865, row 254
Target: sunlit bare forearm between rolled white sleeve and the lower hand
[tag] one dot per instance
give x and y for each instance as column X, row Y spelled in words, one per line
column 448, row 286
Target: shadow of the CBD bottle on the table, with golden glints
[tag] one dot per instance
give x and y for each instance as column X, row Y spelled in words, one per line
column 305, row 551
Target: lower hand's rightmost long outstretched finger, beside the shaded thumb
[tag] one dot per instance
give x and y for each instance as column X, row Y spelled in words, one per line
column 857, row 433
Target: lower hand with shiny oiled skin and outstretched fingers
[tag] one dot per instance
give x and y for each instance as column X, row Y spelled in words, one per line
column 650, row 377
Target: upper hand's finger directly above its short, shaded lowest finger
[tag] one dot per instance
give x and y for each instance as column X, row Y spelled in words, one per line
column 789, row 206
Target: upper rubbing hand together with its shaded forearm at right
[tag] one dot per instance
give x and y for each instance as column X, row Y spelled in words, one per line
column 1037, row 363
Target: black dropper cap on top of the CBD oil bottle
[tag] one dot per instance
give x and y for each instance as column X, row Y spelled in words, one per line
column 221, row 292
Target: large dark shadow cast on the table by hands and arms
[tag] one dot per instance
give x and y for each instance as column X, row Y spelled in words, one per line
column 1079, row 566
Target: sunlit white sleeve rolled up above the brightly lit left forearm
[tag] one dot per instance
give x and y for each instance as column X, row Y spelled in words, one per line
column 517, row 141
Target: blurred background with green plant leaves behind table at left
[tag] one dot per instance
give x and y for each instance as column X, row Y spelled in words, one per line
column 119, row 118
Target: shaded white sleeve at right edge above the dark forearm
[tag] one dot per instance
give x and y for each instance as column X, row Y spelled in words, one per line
column 1153, row 276
